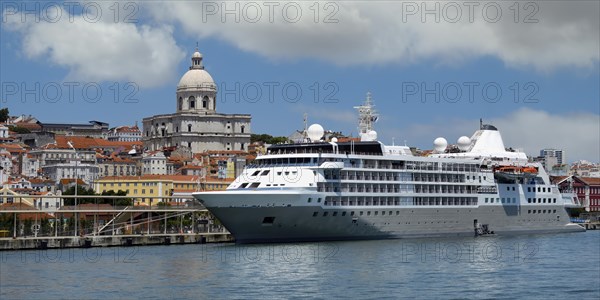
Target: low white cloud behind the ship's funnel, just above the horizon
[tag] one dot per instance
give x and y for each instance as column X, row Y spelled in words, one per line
column 578, row 134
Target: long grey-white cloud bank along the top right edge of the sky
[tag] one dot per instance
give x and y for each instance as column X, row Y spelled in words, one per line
column 543, row 35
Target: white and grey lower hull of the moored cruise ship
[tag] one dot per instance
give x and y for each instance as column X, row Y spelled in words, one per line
column 284, row 216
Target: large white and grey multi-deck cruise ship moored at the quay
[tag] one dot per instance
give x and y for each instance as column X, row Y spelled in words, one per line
column 328, row 190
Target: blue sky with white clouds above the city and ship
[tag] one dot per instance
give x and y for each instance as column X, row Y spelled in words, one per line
column 433, row 68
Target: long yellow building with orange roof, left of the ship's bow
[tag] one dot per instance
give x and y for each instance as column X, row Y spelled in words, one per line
column 147, row 189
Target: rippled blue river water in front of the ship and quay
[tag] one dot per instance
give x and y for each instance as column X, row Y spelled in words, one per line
column 551, row 266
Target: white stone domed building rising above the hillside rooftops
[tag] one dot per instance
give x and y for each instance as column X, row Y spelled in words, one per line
column 196, row 123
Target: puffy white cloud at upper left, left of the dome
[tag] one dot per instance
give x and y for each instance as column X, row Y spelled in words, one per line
column 102, row 50
